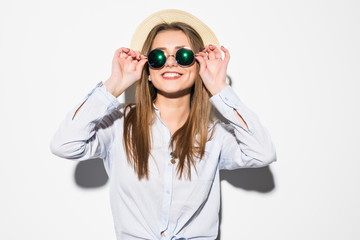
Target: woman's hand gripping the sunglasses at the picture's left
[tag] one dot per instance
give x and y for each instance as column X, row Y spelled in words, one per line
column 127, row 67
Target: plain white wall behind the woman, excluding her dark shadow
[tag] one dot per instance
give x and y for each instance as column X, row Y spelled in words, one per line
column 295, row 63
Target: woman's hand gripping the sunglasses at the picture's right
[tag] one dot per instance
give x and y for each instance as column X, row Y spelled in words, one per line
column 213, row 68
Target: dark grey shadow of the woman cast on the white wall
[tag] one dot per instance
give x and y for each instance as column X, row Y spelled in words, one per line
column 92, row 174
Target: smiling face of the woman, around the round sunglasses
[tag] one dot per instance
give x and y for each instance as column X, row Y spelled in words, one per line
column 172, row 80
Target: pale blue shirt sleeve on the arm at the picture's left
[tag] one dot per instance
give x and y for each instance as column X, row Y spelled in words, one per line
column 89, row 134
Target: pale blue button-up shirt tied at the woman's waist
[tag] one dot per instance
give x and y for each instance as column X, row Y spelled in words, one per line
column 182, row 209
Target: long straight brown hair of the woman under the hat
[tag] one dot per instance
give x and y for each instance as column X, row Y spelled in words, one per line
column 190, row 139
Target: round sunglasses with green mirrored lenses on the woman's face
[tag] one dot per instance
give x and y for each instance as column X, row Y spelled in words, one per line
column 184, row 57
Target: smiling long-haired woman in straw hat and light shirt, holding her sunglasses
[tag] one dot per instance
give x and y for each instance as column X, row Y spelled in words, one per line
column 164, row 152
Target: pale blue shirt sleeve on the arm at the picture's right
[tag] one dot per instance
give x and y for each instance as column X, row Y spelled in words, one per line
column 241, row 148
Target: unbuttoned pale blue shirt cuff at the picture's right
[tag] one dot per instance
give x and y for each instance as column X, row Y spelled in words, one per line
column 226, row 101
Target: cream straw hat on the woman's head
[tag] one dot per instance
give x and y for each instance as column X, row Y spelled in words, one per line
column 169, row 16
